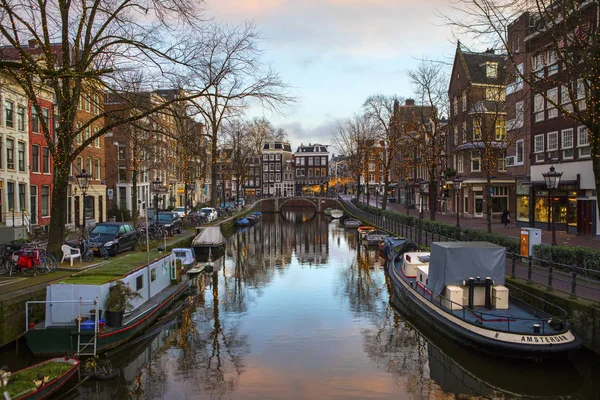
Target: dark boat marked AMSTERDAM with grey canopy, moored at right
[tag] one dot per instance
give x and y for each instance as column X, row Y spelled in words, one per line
column 459, row 289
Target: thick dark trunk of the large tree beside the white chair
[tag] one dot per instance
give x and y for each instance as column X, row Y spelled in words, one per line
column 60, row 184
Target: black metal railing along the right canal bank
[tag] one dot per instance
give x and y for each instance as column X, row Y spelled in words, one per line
column 570, row 279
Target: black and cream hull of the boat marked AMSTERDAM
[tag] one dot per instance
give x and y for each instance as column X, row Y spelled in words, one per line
column 499, row 343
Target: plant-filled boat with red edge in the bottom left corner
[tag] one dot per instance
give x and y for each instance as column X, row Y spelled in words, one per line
column 40, row 380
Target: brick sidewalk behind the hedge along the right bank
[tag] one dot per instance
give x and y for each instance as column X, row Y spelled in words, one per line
column 562, row 238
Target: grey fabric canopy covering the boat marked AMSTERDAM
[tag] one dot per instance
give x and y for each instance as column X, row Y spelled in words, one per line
column 454, row 262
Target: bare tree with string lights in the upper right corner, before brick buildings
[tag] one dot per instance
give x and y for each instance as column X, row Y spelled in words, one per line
column 570, row 31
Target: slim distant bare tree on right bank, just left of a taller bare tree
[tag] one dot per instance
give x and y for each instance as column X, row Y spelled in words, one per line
column 380, row 109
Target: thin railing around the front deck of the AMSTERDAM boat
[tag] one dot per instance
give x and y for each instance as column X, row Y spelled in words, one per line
column 511, row 323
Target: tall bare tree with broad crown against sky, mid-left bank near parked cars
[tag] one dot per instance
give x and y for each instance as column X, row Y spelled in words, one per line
column 234, row 75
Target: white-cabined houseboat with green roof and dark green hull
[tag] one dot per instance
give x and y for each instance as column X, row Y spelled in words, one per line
column 71, row 326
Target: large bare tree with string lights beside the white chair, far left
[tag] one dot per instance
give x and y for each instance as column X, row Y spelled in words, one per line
column 78, row 47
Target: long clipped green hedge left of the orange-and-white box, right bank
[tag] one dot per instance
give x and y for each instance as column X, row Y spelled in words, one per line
column 445, row 229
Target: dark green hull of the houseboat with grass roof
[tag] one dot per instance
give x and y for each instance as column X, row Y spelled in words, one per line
column 58, row 341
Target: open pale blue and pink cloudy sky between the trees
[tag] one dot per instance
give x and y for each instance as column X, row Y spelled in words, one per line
column 336, row 53
